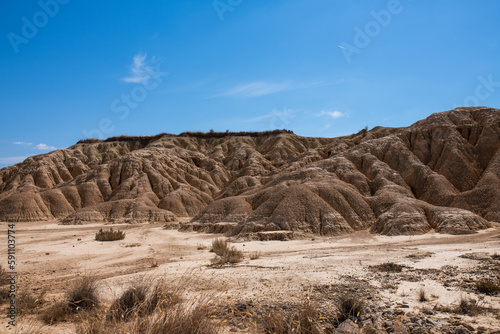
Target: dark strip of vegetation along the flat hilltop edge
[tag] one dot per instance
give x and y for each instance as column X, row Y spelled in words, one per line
column 198, row 134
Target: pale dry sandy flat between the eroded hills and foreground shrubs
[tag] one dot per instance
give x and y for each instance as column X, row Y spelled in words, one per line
column 50, row 256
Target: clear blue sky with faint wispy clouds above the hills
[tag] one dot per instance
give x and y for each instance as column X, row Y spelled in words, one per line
column 77, row 69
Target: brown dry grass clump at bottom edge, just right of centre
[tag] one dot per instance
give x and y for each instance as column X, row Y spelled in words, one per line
column 303, row 319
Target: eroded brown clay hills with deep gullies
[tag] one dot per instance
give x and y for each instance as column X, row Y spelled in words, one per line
column 441, row 173
